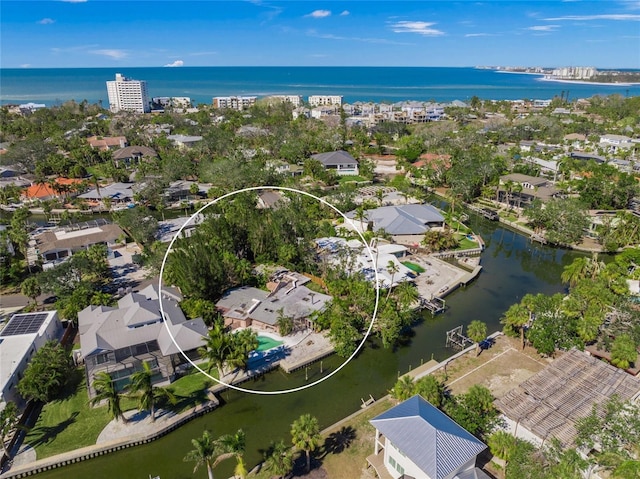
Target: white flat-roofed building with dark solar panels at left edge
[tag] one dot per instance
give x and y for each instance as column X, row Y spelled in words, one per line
column 20, row 338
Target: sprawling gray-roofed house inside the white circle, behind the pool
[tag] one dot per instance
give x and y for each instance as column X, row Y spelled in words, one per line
column 287, row 296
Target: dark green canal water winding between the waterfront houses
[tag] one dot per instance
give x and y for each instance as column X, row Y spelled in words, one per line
column 512, row 267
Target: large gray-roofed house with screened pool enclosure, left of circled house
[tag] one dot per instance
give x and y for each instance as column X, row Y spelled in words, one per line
column 119, row 339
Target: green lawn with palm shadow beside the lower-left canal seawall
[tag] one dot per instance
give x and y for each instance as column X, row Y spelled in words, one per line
column 68, row 423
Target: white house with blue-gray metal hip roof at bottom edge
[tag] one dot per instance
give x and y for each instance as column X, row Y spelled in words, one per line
column 415, row 439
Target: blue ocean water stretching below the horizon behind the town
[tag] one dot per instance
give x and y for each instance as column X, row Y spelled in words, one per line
column 201, row 84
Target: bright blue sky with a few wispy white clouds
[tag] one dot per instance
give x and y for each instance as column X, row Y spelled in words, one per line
column 123, row 33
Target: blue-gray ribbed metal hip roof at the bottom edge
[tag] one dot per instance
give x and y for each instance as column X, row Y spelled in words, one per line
column 428, row 437
